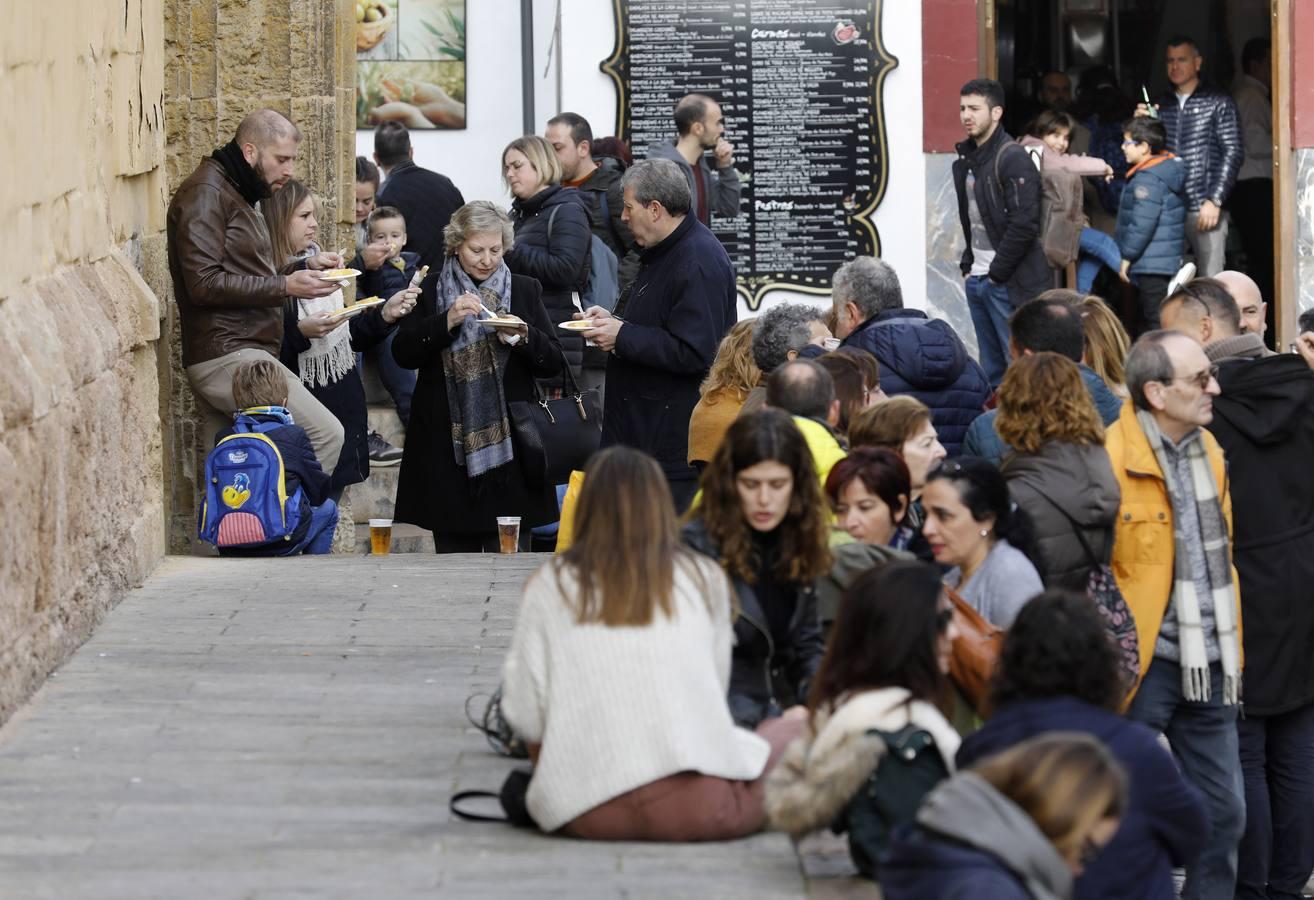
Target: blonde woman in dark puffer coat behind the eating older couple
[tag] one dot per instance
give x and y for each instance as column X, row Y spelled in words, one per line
column 554, row 240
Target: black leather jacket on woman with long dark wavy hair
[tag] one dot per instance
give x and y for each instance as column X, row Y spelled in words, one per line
column 767, row 677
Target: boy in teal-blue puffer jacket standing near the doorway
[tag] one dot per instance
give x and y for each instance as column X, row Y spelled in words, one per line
column 1152, row 231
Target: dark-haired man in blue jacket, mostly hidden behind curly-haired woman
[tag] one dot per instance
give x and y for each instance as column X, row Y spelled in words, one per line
column 1043, row 326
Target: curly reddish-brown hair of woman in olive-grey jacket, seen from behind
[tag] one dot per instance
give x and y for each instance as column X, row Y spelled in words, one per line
column 1043, row 399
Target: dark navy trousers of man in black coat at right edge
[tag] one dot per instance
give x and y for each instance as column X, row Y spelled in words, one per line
column 1278, row 761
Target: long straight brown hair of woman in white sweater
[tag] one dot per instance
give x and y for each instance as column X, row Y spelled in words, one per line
column 627, row 542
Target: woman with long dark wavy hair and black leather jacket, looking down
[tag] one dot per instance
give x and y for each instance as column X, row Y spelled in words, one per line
column 764, row 520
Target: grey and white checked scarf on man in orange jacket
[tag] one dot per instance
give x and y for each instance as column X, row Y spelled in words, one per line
column 1213, row 533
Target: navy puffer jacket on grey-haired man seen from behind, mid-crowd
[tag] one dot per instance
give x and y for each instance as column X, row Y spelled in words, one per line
column 927, row 359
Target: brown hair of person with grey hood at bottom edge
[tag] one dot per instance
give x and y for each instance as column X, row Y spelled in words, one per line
column 1065, row 781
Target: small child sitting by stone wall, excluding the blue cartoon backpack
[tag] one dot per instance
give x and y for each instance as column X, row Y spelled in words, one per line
column 261, row 395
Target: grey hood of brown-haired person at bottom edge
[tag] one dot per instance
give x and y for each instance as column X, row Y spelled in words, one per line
column 968, row 810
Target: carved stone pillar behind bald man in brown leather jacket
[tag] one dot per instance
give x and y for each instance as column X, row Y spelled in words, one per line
column 225, row 58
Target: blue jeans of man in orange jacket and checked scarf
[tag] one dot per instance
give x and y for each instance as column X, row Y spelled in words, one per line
column 1204, row 742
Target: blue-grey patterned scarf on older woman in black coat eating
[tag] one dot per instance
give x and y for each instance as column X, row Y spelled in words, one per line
column 474, row 367
